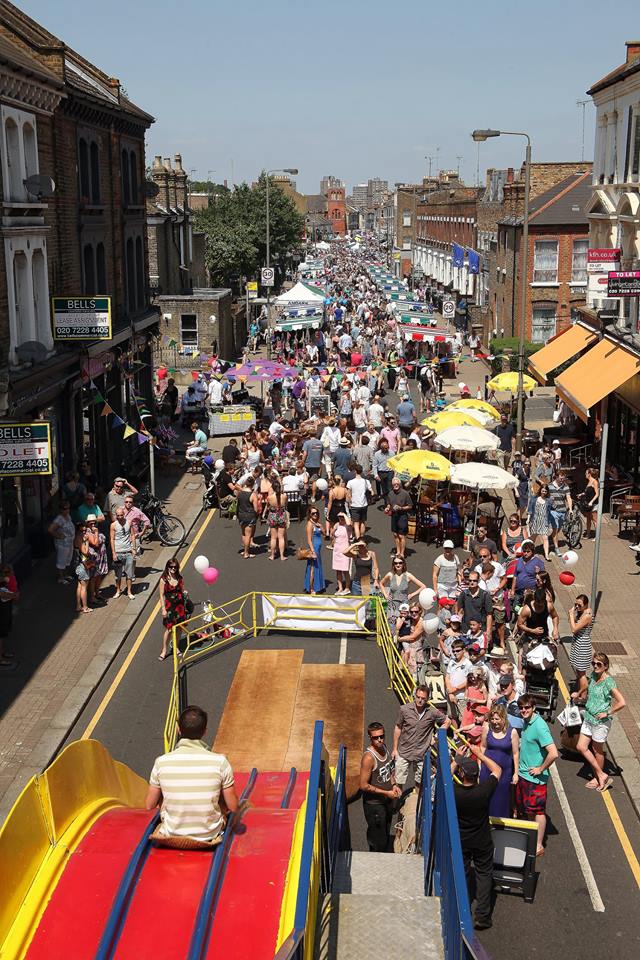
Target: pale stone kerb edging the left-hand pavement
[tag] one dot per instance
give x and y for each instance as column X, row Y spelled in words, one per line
column 49, row 745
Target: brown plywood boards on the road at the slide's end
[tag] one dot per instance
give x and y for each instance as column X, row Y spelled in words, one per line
column 273, row 703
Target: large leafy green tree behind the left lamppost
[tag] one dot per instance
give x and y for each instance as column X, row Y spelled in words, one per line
column 235, row 226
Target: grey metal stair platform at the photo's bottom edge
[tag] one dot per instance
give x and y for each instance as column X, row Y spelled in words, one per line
column 369, row 926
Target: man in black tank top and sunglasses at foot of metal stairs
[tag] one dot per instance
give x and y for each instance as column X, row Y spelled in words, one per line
column 378, row 788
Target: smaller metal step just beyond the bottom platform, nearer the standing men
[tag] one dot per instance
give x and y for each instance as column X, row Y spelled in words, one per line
column 390, row 874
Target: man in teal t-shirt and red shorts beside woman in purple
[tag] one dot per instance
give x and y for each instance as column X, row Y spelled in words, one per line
column 537, row 753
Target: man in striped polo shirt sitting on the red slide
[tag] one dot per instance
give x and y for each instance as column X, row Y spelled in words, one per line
column 189, row 782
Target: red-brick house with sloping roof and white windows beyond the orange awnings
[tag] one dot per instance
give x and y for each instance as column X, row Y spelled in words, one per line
column 557, row 255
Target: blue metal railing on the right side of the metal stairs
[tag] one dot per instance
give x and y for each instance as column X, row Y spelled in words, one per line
column 443, row 863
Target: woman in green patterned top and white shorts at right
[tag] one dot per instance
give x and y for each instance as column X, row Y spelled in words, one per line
column 603, row 700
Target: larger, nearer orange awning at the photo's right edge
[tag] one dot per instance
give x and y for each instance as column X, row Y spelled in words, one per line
column 594, row 376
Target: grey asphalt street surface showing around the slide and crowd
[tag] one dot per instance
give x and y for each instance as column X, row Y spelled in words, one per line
column 562, row 923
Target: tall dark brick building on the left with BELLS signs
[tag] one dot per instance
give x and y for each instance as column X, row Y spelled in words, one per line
column 65, row 119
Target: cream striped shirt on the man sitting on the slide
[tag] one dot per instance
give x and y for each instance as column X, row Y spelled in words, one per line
column 191, row 778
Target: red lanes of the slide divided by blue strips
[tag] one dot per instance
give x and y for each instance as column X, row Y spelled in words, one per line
column 160, row 918
